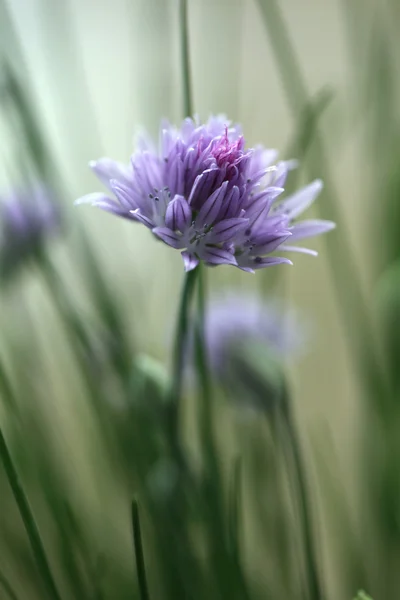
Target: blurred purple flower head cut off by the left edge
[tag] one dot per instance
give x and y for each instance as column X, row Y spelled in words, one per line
column 27, row 218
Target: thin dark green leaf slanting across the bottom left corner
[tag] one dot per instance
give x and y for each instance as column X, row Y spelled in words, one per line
column 28, row 520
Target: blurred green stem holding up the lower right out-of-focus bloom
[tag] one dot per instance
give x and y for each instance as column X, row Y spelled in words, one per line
column 295, row 462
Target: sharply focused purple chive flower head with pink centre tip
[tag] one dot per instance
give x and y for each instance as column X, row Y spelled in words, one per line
column 204, row 193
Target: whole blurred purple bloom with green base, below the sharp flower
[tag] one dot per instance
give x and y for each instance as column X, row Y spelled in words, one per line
column 247, row 342
